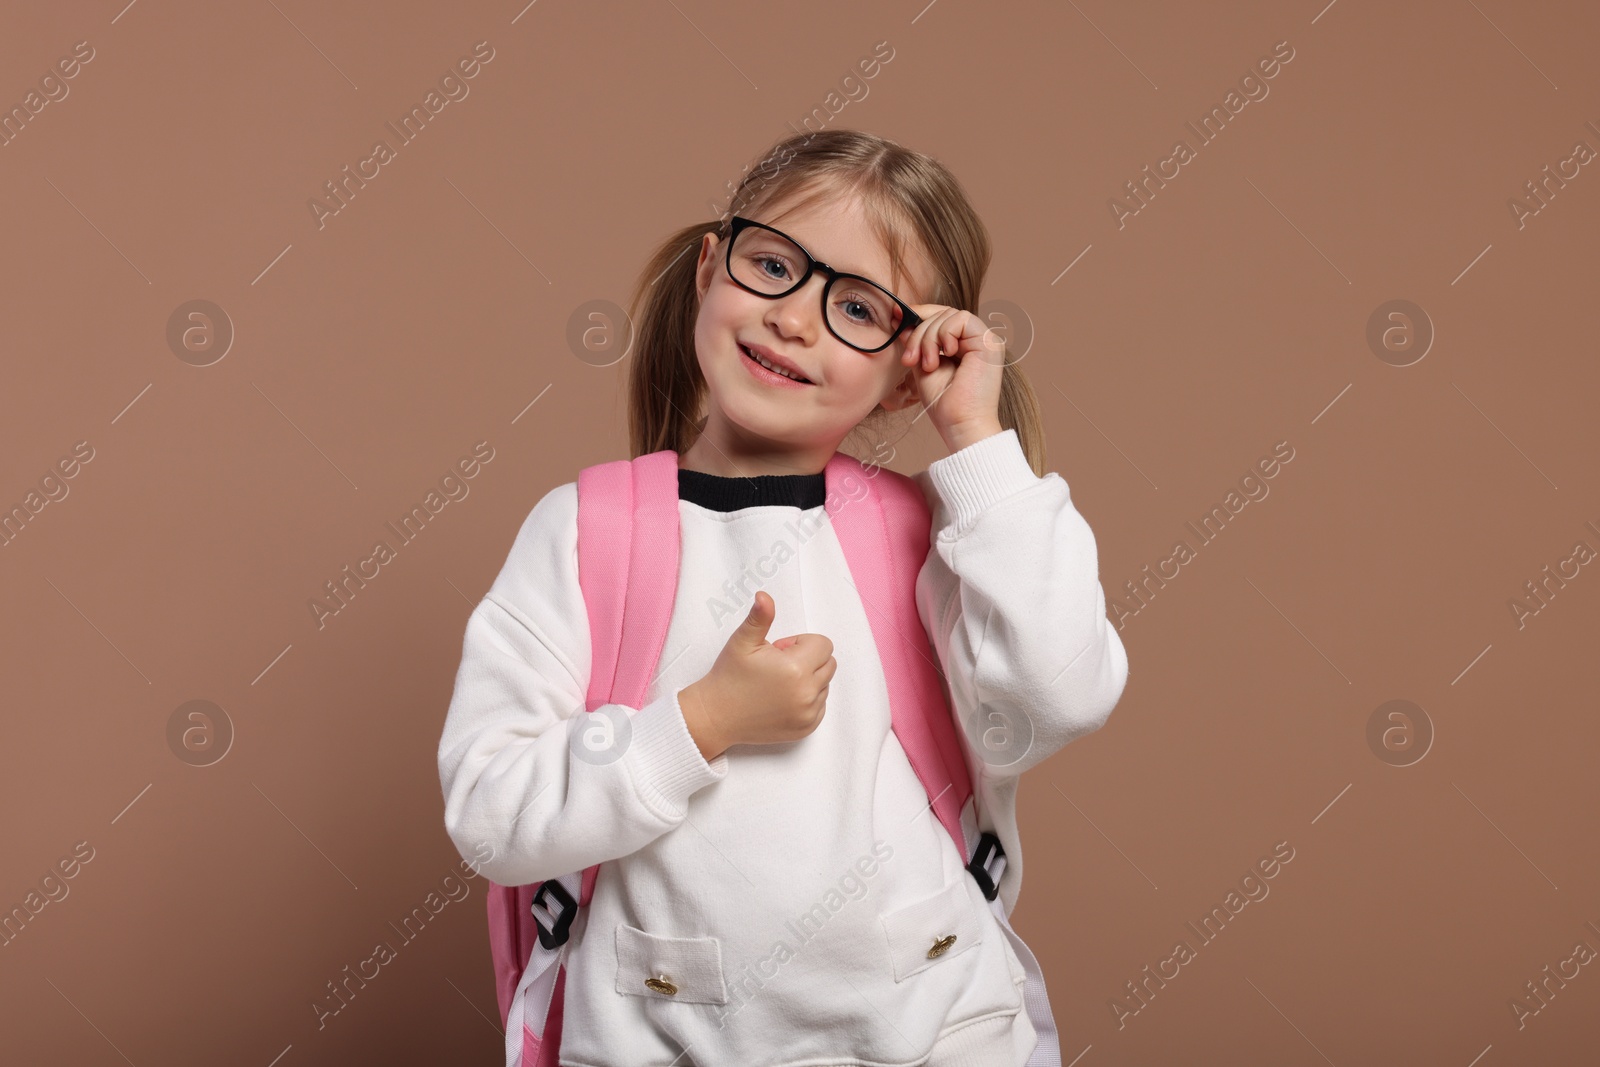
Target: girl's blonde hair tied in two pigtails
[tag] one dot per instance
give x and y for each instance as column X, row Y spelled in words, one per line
column 911, row 199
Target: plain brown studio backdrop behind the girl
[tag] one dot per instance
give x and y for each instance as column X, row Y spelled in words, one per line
column 372, row 354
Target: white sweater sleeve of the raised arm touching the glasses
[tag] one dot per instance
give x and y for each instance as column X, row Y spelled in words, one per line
column 1012, row 601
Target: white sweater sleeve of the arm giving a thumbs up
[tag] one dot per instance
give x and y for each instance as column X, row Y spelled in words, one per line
column 530, row 780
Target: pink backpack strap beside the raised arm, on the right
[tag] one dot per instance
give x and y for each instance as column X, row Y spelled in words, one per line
column 884, row 530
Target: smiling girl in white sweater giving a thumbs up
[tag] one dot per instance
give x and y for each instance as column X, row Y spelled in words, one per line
column 762, row 829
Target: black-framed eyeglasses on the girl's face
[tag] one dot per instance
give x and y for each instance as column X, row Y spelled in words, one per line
column 858, row 311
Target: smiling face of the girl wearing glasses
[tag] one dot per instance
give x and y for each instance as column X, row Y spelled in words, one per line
column 759, row 426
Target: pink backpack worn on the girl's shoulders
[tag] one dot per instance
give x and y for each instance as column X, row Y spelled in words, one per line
column 628, row 567
